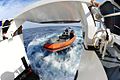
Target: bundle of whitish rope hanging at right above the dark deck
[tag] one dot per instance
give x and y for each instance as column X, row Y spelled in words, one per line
column 102, row 40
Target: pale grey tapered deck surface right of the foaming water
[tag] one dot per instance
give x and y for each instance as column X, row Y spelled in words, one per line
column 90, row 67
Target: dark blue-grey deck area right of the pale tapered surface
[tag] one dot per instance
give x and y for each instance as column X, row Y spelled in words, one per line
column 111, row 63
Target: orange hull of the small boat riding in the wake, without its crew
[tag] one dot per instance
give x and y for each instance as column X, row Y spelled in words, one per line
column 59, row 44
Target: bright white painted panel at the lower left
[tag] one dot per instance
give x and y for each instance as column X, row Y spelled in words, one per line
column 12, row 50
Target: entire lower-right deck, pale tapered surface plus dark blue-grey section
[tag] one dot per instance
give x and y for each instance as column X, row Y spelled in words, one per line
column 92, row 67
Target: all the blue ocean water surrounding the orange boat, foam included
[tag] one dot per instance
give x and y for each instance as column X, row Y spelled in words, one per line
column 52, row 66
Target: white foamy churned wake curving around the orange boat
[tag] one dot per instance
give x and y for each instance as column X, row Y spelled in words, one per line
column 55, row 66
